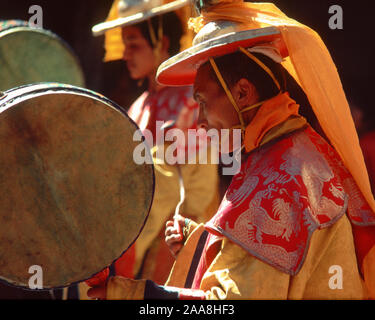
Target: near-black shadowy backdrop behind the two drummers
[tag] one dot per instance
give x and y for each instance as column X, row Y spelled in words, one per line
column 351, row 48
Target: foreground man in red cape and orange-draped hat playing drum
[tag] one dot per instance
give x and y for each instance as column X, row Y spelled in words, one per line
column 297, row 221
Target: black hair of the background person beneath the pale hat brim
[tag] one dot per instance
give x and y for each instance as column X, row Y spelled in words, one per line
column 172, row 29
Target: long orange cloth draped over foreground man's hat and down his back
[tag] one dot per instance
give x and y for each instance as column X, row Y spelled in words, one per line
column 318, row 78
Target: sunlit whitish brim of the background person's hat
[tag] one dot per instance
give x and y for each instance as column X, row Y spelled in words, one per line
column 101, row 28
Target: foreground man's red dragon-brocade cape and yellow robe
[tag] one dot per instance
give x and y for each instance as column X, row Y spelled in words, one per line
column 283, row 227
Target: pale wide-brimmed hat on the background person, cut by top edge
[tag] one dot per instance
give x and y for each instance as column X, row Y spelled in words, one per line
column 135, row 11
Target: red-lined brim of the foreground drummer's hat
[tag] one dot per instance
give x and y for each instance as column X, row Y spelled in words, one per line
column 181, row 69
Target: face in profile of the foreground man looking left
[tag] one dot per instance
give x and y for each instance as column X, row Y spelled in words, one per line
column 215, row 109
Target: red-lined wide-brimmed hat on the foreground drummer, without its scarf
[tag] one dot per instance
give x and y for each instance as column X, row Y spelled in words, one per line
column 215, row 39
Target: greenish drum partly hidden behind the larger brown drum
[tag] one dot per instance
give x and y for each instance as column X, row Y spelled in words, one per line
column 29, row 55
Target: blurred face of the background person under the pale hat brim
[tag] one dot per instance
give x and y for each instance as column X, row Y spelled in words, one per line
column 139, row 55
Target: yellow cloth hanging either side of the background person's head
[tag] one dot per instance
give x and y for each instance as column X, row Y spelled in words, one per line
column 114, row 47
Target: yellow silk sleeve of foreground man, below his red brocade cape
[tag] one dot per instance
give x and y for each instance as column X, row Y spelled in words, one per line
column 329, row 271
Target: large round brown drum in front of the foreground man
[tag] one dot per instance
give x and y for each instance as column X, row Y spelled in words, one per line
column 72, row 197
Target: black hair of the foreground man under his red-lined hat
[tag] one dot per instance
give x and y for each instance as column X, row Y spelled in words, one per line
column 237, row 65
